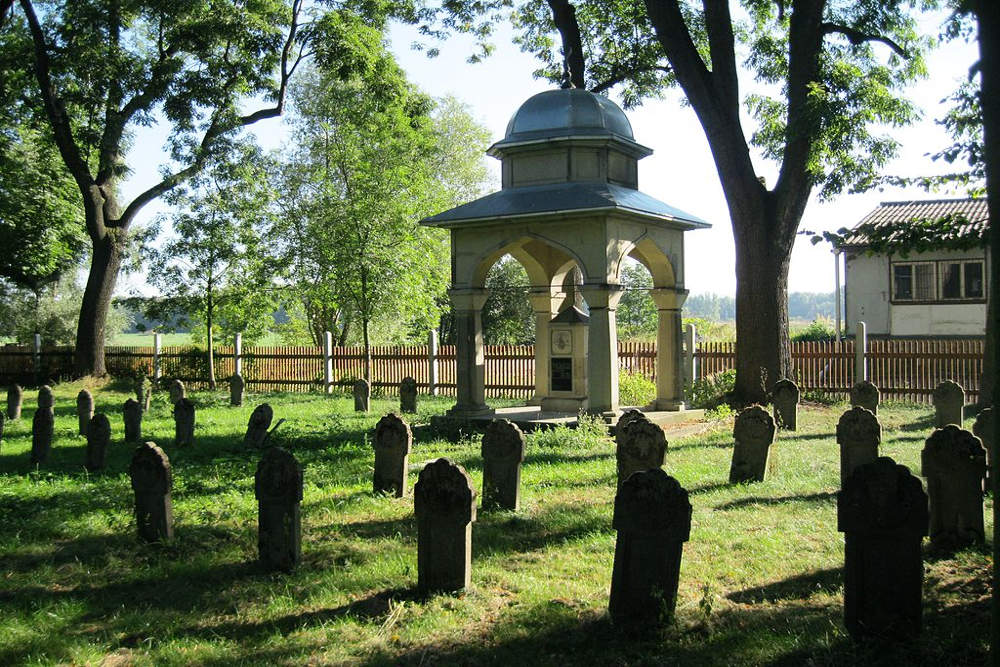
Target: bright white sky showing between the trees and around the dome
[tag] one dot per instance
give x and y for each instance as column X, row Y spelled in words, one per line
column 680, row 172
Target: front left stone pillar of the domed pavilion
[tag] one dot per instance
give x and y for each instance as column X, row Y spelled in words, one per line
column 470, row 362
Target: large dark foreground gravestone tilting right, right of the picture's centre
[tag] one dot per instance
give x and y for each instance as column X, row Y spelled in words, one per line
column 653, row 520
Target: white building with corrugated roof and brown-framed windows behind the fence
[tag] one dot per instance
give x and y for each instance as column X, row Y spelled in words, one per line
column 940, row 291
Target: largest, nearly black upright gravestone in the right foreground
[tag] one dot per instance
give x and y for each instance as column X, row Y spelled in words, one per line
column 882, row 511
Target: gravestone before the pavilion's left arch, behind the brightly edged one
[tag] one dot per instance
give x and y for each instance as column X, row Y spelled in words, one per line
column 503, row 452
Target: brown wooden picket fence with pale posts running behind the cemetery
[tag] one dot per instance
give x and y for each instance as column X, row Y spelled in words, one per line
column 903, row 369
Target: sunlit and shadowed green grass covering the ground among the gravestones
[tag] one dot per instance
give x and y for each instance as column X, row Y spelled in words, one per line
column 760, row 581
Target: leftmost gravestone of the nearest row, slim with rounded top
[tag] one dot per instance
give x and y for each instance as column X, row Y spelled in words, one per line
column 151, row 482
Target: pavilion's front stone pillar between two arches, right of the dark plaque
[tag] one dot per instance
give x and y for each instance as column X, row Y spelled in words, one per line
column 602, row 349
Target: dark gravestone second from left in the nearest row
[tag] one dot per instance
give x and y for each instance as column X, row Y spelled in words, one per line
column 278, row 487
